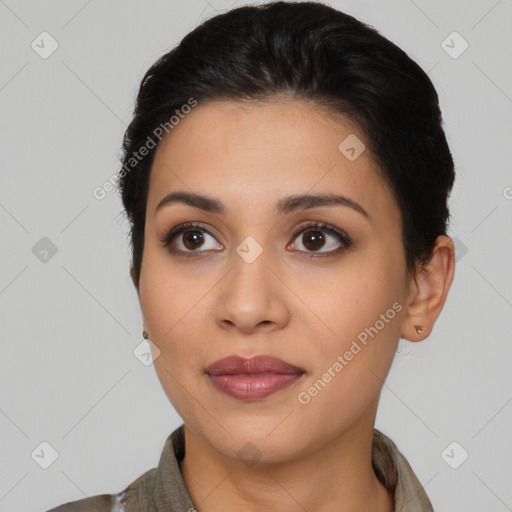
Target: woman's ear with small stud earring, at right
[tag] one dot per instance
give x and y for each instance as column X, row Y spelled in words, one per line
column 429, row 289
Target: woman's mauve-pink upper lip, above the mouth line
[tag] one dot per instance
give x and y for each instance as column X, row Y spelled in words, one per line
column 236, row 365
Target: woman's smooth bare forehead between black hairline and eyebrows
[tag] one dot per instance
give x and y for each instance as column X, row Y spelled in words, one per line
column 258, row 152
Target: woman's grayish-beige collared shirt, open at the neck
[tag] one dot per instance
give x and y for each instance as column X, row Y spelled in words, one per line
column 163, row 489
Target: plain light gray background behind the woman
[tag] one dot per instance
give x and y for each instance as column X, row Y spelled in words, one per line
column 70, row 324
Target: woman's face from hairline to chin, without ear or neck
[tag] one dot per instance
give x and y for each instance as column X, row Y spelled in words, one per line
column 259, row 277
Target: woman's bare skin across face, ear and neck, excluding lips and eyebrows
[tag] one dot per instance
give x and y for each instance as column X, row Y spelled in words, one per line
column 198, row 309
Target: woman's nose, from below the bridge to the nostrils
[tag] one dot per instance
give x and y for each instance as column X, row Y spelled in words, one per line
column 251, row 297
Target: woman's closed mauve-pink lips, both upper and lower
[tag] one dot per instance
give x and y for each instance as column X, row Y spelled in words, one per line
column 254, row 378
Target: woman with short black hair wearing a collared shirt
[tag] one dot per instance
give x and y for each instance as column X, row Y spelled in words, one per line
column 286, row 177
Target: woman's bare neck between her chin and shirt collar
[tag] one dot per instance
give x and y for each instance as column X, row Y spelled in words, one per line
column 336, row 477
